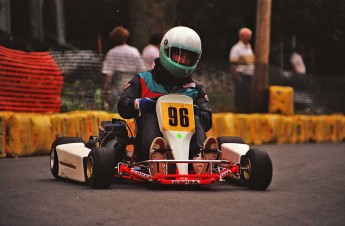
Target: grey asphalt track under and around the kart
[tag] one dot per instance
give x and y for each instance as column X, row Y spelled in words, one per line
column 308, row 188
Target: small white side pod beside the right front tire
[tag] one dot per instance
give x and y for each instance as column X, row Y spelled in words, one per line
column 233, row 151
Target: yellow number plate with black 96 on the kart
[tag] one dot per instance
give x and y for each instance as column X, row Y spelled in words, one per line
column 177, row 117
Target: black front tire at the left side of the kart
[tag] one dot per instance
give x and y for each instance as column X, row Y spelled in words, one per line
column 99, row 169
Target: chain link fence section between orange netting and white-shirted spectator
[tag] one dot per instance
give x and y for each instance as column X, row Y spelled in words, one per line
column 82, row 71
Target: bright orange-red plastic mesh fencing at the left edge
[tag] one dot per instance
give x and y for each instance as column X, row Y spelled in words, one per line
column 29, row 82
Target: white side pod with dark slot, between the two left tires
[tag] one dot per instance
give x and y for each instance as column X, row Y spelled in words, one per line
column 70, row 158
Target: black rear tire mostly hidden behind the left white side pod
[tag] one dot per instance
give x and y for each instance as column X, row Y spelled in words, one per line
column 54, row 159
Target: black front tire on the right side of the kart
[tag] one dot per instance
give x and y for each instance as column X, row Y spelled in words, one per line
column 256, row 169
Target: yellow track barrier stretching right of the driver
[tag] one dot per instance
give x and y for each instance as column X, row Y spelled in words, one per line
column 274, row 128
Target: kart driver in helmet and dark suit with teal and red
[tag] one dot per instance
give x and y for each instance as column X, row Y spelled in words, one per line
column 180, row 51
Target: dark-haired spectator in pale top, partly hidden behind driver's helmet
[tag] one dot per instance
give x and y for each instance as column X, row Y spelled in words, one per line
column 151, row 51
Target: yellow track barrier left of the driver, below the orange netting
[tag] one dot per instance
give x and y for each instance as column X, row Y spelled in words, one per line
column 28, row 134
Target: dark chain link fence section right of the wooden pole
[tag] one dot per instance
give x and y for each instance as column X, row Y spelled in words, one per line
column 313, row 94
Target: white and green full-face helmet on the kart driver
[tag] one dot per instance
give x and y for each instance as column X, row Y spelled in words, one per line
column 180, row 51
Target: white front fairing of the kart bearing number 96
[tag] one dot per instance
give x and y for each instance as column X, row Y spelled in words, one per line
column 176, row 122
